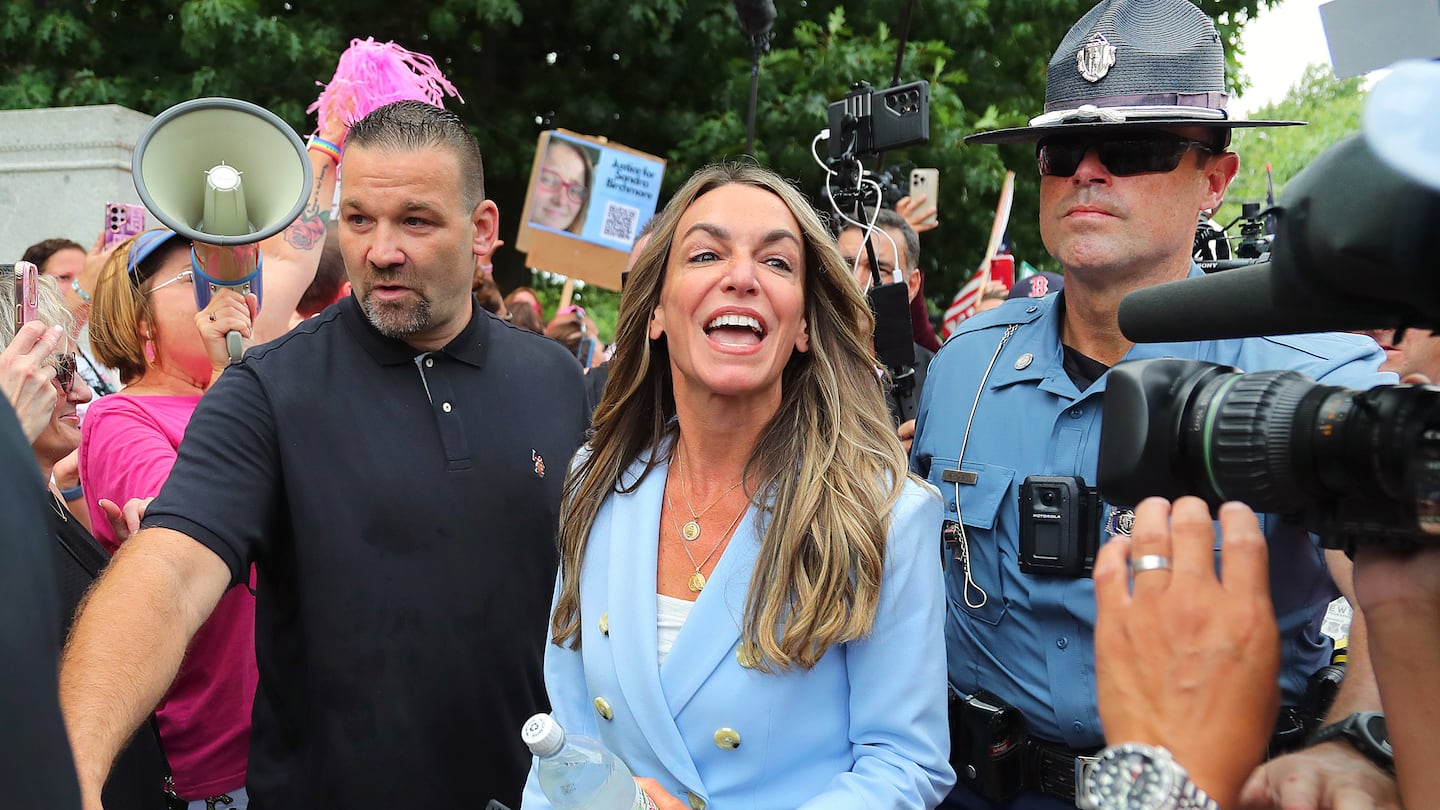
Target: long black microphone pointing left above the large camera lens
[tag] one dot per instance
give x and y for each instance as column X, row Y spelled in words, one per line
column 1238, row 303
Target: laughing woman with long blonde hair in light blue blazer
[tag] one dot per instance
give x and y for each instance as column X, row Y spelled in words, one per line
column 751, row 606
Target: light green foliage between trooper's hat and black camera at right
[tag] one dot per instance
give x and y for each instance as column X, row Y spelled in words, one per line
column 1333, row 110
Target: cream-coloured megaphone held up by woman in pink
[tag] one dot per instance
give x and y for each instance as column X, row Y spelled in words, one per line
column 227, row 175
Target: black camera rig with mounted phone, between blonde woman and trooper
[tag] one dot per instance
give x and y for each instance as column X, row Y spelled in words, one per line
column 863, row 125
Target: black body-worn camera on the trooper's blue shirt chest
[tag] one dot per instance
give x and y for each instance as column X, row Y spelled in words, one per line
column 1059, row 527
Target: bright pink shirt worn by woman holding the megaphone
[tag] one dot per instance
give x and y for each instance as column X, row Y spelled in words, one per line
column 127, row 449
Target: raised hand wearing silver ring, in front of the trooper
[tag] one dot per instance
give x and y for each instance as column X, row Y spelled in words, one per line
column 1187, row 659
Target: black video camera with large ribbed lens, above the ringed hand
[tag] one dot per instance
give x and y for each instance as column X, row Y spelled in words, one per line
column 1351, row 463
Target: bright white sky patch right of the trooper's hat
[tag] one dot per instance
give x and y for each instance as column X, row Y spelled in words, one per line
column 1281, row 43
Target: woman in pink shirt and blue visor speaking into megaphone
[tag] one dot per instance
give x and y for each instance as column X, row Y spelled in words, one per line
column 146, row 324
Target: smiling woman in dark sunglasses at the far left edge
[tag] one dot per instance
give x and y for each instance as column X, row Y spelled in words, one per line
column 138, row 782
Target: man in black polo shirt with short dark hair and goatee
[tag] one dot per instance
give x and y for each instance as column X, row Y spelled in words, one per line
column 394, row 471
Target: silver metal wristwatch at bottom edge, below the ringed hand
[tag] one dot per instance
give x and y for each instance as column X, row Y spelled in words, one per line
column 1140, row 778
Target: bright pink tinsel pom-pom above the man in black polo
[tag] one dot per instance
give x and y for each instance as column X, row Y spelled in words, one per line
column 374, row 74
